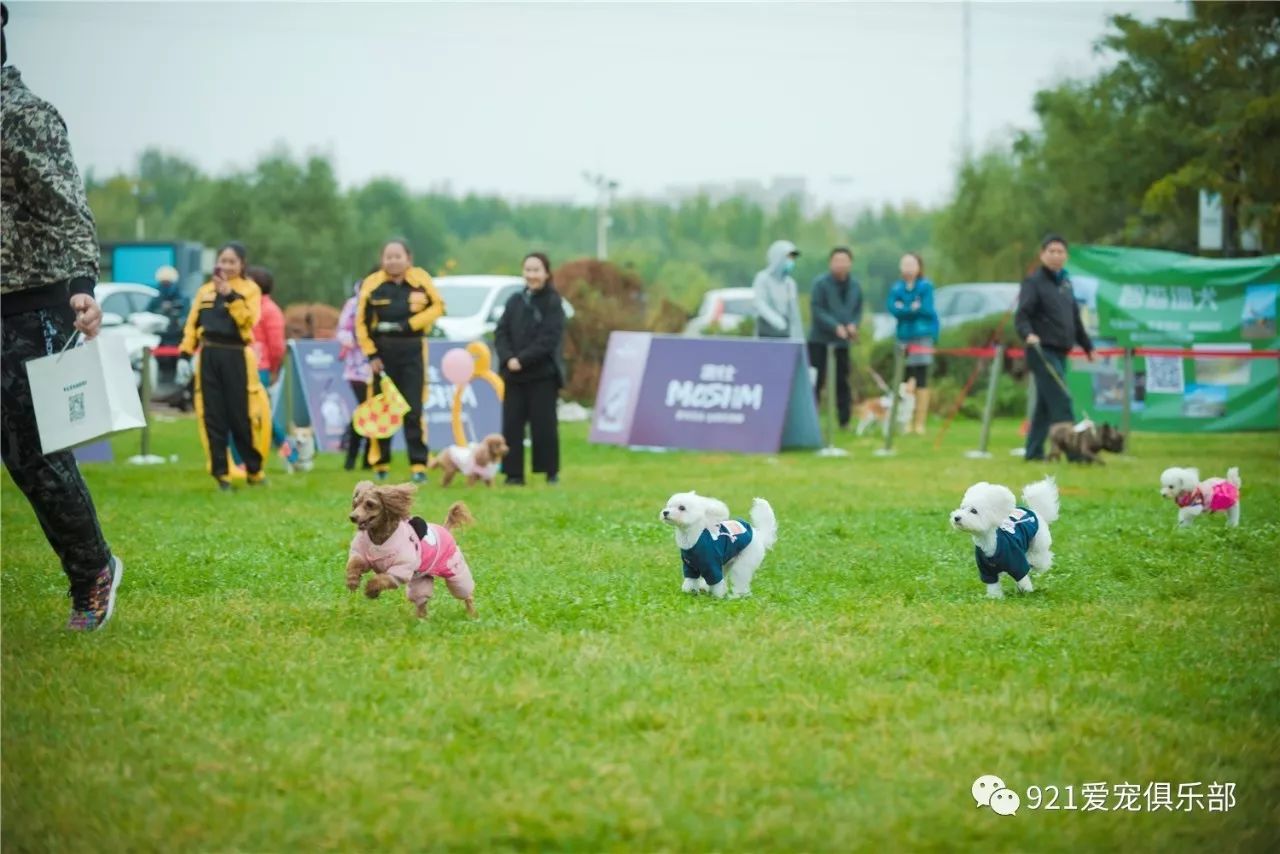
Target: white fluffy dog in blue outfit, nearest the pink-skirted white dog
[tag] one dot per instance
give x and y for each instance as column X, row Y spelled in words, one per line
column 1009, row 538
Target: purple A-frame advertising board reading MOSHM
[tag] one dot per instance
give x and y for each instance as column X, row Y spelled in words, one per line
column 706, row 394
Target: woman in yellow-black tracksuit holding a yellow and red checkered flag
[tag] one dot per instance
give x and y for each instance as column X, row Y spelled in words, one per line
column 395, row 312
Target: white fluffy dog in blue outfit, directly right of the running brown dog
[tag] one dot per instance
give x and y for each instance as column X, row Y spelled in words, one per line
column 711, row 542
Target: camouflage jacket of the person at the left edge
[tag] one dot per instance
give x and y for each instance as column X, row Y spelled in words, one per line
column 48, row 241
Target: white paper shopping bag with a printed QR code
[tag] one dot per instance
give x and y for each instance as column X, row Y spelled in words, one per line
column 85, row 394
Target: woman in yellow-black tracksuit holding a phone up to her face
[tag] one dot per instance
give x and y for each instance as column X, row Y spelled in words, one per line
column 230, row 396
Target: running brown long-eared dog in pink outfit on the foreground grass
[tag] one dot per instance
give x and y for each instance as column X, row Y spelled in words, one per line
column 405, row 551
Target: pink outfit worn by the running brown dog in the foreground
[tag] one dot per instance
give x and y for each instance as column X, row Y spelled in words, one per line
column 417, row 555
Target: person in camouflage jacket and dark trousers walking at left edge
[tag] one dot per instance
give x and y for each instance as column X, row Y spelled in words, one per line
column 48, row 272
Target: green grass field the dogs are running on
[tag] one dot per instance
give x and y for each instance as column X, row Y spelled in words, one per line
column 243, row 700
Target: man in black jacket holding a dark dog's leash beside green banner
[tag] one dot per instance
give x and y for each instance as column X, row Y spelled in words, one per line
column 1049, row 319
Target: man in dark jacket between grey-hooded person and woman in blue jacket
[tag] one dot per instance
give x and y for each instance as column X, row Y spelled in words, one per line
column 836, row 305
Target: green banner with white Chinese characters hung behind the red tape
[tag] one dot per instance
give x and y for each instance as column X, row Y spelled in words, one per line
column 1153, row 299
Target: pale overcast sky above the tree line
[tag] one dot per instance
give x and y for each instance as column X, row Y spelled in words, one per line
column 862, row 99
